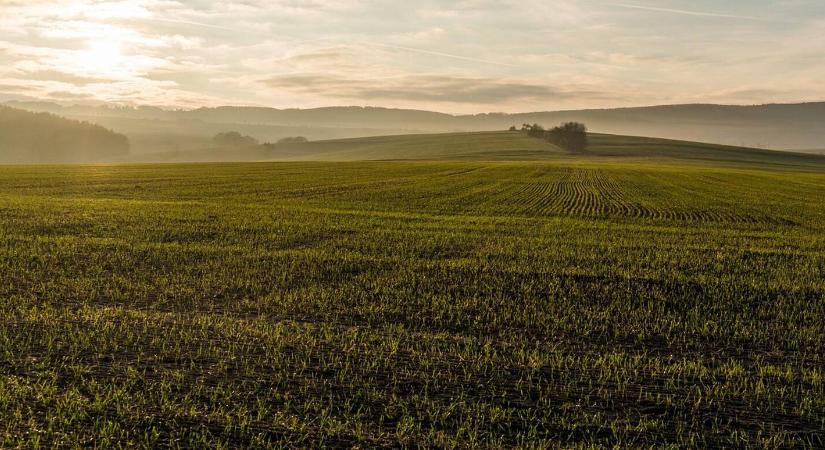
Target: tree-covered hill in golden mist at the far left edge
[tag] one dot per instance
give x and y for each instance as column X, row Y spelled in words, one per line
column 27, row 137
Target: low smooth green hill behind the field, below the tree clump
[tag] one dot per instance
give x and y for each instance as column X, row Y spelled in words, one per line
column 493, row 146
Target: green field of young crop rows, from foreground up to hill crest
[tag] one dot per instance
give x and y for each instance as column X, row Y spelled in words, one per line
column 648, row 293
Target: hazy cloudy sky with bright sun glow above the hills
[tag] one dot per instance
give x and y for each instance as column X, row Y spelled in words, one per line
column 453, row 56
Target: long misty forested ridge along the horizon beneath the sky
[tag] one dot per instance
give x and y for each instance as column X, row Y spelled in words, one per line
column 780, row 126
